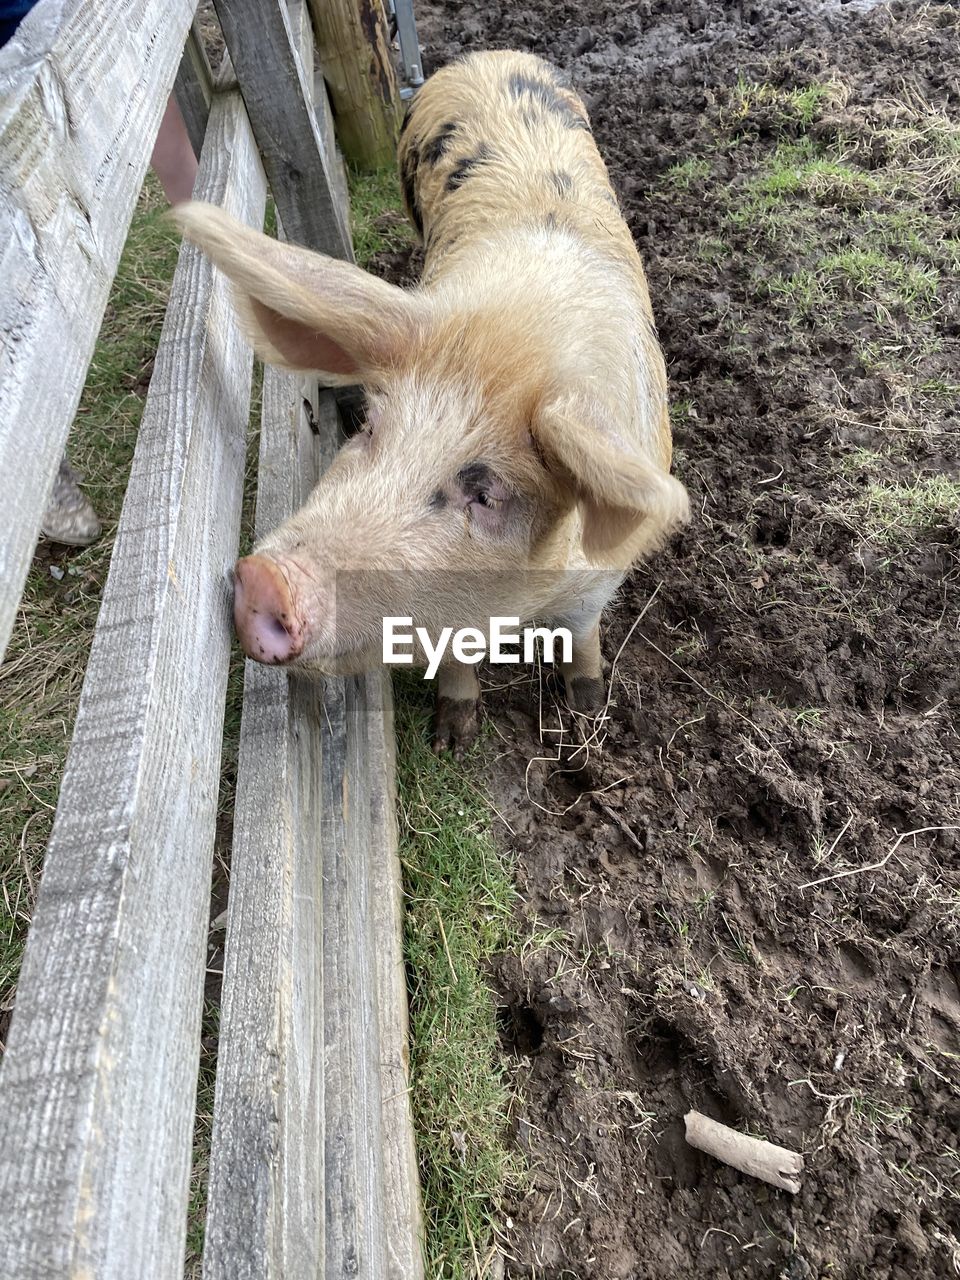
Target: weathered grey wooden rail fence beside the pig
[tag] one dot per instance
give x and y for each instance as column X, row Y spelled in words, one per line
column 313, row 1169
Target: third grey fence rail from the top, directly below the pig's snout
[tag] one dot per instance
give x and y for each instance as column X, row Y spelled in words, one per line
column 266, row 1215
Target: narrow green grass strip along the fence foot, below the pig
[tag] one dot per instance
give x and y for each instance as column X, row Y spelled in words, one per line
column 460, row 902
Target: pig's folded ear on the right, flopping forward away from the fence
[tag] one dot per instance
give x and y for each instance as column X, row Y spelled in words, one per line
column 618, row 488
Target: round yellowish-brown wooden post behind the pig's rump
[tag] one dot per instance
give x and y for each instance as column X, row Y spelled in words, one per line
column 355, row 56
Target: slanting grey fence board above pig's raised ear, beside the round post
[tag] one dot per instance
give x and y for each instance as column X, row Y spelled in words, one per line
column 260, row 44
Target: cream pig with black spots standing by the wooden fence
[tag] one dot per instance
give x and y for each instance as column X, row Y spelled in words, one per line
column 516, row 452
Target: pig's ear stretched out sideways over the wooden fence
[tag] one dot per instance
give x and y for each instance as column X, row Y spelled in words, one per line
column 304, row 310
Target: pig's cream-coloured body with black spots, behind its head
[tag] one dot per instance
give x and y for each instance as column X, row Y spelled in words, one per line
column 505, row 185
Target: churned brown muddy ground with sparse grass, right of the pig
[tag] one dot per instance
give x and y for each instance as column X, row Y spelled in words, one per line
column 787, row 708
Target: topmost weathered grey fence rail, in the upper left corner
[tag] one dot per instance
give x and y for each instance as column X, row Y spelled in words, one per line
column 83, row 89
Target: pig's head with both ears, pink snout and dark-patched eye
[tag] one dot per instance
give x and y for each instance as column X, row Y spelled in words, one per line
column 458, row 495
